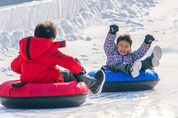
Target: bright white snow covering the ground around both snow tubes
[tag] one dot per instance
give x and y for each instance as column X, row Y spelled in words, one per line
column 85, row 34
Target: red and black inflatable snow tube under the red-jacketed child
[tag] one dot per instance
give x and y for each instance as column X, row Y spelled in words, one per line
column 43, row 95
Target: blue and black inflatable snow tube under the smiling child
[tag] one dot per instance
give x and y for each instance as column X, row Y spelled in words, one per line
column 121, row 82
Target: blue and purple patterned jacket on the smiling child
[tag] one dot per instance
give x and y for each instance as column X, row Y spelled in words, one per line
column 113, row 56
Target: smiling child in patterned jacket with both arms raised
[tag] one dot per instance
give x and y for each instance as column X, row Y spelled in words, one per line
column 120, row 57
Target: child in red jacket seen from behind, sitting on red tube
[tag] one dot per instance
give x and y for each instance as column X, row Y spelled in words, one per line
column 39, row 56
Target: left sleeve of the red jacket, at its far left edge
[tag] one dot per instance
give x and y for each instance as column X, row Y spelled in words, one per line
column 15, row 65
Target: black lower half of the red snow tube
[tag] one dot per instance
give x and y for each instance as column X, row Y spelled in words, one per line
column 43, row 102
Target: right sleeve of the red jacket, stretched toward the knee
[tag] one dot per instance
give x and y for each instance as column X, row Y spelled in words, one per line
column 67, row 62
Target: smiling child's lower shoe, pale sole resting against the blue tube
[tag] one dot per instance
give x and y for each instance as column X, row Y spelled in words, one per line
column 135, row 68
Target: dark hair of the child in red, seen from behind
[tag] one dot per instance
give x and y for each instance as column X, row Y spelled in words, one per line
column 45, row 30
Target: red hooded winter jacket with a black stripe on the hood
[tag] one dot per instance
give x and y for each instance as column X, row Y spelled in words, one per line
column 38, row 59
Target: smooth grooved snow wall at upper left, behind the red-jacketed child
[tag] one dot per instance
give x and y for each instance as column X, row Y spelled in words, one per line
column 27, row 15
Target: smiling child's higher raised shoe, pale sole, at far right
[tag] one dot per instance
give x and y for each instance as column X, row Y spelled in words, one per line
column 156, row 56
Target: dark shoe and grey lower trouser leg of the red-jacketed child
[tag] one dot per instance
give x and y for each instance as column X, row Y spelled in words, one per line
column 95, row 84
